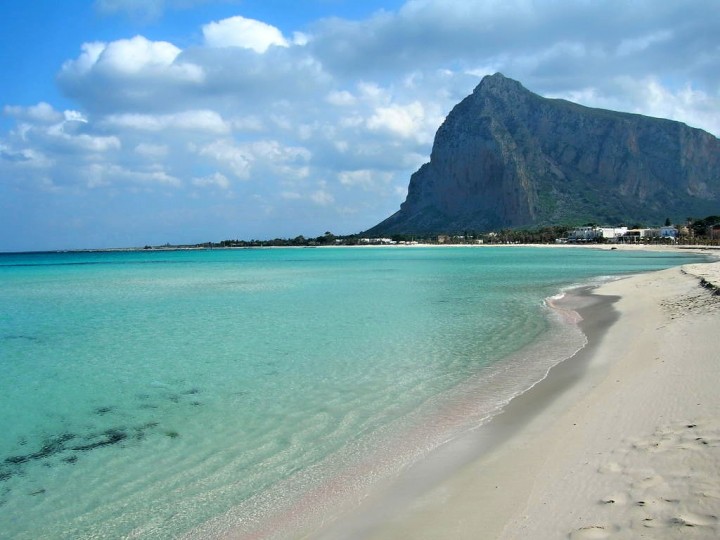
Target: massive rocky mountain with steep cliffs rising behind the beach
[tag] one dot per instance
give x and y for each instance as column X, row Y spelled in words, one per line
column 505, row 157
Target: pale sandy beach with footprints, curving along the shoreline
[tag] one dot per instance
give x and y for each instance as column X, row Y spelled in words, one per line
column 621, row 441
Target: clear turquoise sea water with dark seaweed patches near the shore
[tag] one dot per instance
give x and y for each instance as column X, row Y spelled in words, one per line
column 192, row 393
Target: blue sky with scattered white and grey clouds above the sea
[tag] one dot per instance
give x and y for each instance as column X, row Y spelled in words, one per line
column 143, row 122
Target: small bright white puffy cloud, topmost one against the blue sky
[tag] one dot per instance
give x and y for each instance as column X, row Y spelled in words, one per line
column 241, row 32
